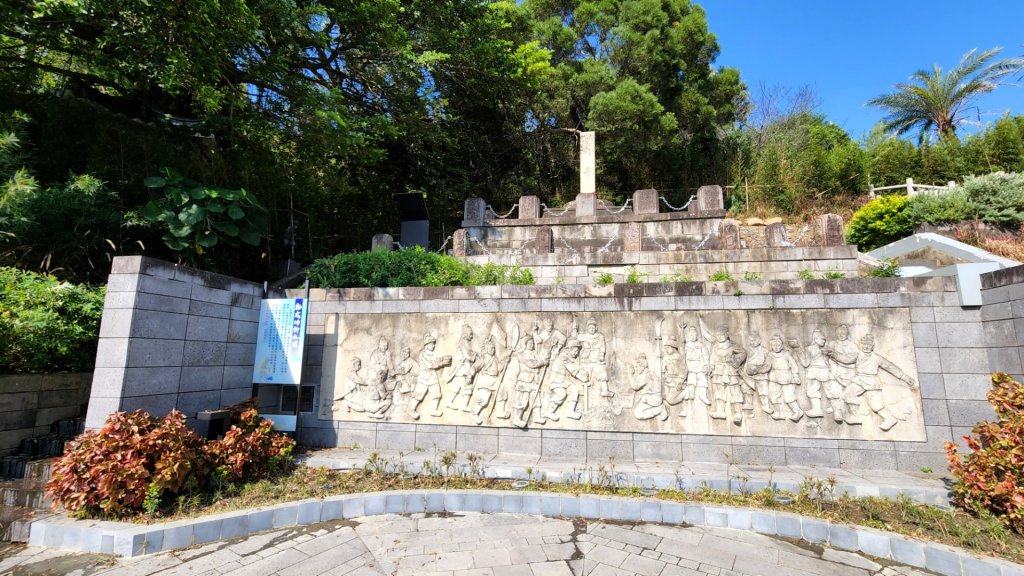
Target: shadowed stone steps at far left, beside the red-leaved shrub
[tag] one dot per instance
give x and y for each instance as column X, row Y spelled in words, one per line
column 24, row 477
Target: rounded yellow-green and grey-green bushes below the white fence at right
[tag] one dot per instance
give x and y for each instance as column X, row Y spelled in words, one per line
column 997, row 200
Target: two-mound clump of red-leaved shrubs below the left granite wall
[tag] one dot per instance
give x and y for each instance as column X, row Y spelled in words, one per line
column 137, row 462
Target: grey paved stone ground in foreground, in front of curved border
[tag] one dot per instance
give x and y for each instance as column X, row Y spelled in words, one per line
column 472, row 546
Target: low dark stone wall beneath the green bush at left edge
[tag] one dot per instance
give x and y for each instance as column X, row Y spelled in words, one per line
column 30, row 404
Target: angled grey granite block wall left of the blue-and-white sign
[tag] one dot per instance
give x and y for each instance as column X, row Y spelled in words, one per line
column 174, row 338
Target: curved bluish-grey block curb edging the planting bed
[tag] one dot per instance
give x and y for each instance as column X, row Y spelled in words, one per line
column 133, row 541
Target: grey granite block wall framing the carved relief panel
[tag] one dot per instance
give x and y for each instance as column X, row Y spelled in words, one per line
column 953, row 350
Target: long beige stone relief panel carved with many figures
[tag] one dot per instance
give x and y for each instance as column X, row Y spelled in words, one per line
column 627, row 336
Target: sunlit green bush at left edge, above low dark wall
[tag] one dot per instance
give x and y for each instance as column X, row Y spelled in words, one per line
column 48, row 325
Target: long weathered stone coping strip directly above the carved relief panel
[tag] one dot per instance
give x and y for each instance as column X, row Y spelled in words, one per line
column 641, row 291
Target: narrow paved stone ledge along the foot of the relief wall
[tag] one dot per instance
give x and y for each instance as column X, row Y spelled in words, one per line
column 687, row 476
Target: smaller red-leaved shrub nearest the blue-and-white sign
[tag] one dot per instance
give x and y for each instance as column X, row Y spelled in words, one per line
column 251, row 449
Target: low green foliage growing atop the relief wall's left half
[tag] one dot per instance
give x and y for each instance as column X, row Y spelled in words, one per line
column 411, row 267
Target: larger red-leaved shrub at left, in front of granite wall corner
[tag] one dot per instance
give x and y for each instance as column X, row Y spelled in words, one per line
column 109, row 471
